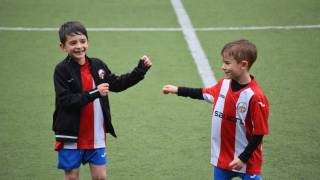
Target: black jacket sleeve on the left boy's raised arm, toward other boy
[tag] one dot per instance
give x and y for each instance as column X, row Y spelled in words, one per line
column 124, row 81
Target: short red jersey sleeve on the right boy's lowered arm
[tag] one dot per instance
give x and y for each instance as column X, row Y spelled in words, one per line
column 259, row 112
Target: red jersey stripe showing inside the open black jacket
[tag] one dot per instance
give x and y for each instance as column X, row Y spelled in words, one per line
column 86, row 134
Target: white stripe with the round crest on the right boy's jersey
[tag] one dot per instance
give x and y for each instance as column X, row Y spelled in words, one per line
column 241, row 113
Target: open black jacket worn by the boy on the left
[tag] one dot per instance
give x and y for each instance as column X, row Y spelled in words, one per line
column 70, row 98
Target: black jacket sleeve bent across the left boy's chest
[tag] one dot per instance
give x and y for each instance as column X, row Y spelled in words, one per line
column 66, row 94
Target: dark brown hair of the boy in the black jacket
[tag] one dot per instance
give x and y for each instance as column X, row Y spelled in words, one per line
column 71, row 28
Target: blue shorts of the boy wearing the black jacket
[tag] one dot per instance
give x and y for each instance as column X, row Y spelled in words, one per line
column 72, row 158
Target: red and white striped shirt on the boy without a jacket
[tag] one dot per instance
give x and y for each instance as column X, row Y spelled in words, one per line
column 236, row 117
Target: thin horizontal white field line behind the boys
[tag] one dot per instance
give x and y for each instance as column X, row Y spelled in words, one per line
column 157, row 29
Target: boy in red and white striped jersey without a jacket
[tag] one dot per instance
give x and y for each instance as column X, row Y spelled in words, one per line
column 240, row 114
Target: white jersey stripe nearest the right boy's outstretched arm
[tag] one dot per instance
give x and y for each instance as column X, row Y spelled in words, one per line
column 216, row 123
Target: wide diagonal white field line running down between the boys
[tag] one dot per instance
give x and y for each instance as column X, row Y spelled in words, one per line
column 193, row 42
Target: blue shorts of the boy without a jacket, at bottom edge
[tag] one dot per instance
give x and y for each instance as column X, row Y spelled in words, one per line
column 221, row 174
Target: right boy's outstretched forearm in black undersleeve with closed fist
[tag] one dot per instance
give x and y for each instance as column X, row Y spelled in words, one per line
column 194, row 93
